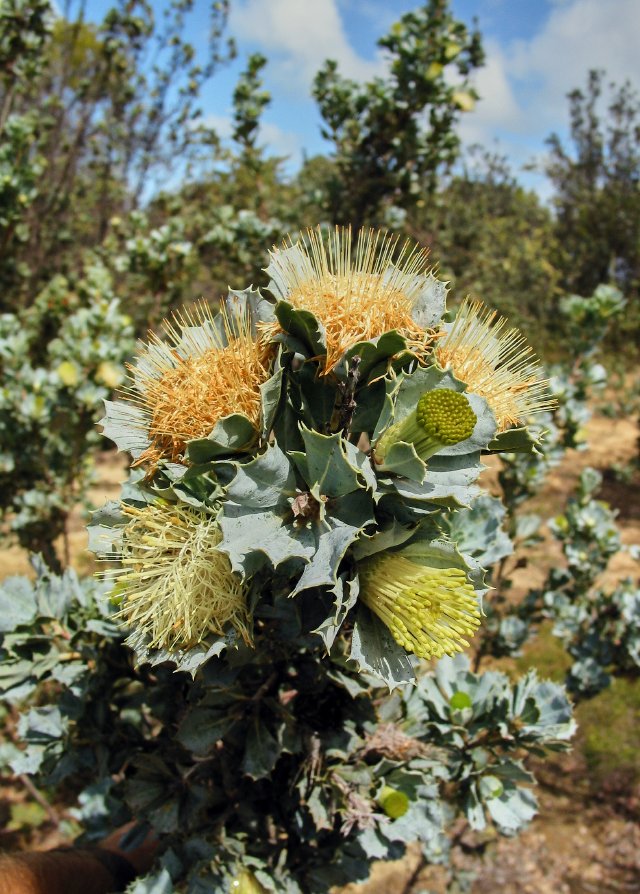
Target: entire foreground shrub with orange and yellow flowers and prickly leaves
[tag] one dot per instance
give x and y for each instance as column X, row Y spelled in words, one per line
column 291, row 543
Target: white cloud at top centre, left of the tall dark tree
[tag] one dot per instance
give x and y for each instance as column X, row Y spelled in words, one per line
column 297, row 36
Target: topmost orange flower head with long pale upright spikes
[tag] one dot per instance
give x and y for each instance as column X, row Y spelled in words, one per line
column 357, row 292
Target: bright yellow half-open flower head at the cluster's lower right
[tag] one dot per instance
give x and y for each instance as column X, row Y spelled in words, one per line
column 429, row 611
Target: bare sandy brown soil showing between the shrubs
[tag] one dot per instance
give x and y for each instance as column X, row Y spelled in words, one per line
column 586, row 838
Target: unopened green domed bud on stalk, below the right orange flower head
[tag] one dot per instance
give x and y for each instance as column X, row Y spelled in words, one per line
column 441, row 418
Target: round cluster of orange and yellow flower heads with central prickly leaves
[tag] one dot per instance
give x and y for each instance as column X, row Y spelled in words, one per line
column 246, row 415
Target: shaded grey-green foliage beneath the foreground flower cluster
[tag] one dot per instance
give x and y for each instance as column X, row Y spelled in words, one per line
column 287, row 752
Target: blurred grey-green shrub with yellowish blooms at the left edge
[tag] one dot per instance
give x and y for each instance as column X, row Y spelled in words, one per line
column 57, row 361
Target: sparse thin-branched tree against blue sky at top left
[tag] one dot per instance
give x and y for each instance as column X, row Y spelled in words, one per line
column 107, row 111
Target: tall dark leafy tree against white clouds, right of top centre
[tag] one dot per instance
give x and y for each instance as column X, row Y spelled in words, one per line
column 394, row 134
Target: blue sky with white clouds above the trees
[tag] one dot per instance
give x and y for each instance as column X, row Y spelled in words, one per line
column 537, row 50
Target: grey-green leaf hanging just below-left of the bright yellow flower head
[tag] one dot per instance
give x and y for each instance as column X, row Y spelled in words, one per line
column 375, row 651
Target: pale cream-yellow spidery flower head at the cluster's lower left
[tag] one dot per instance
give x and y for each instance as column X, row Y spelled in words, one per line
column 176, row 585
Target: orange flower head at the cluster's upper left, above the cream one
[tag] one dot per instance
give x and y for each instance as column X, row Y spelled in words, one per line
column 185, row 385
